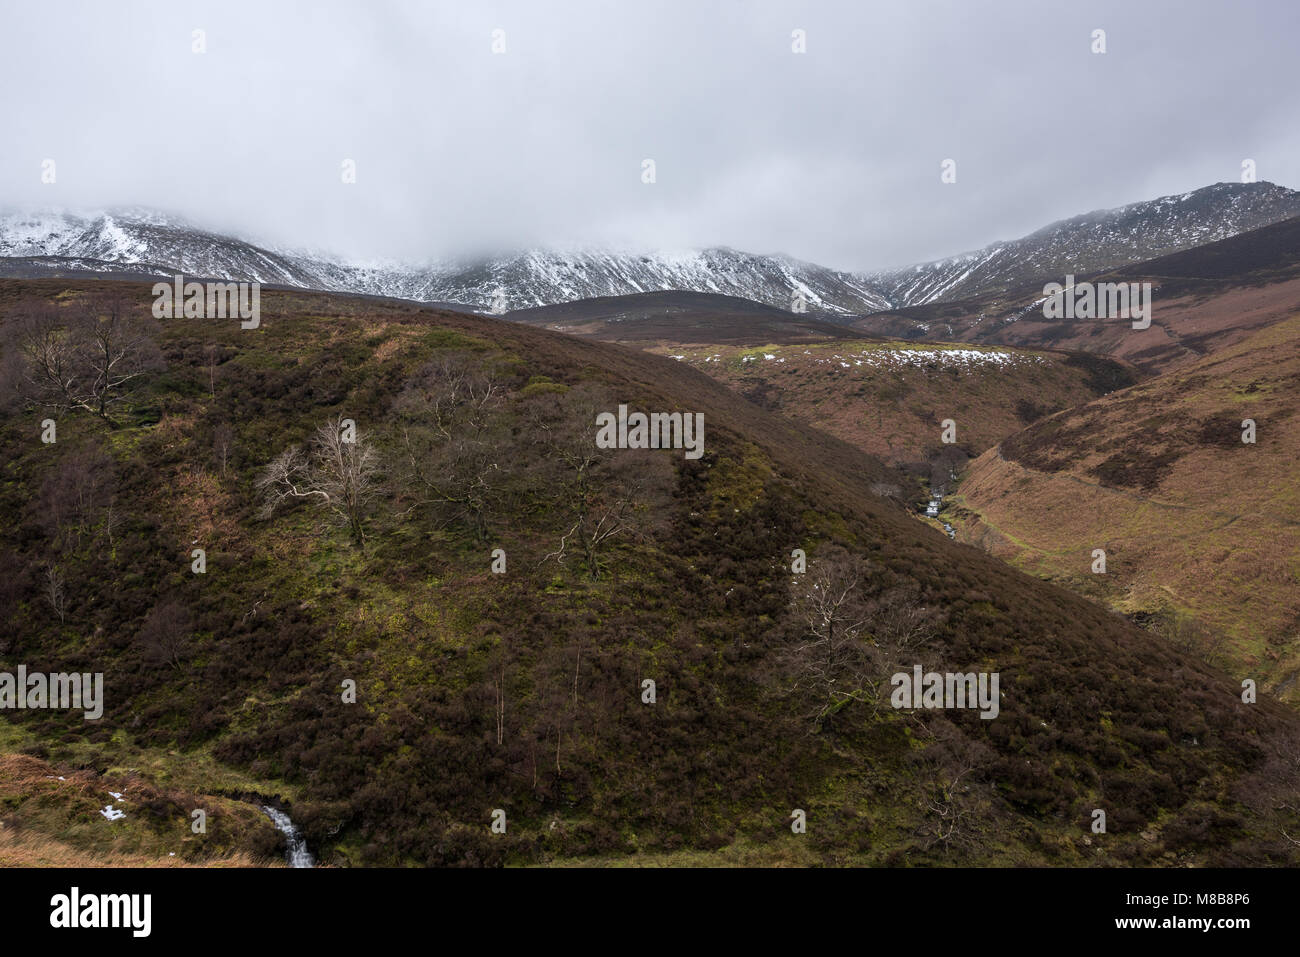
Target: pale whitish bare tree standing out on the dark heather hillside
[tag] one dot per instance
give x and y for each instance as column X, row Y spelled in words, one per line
column 339, row 473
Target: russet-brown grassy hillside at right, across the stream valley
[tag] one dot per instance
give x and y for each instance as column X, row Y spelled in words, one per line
column 1202, row 530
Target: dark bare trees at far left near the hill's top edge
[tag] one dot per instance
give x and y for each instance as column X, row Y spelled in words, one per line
column 89, row 357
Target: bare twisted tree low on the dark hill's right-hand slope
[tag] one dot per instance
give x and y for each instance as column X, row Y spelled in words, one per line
column 850, row 642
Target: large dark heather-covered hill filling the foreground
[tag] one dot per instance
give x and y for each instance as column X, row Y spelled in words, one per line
column 525, row 691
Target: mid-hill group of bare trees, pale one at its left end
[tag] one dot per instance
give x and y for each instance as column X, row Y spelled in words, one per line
column 461, row 445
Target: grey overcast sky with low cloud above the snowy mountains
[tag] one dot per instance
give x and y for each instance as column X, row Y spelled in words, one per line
column 833, row 155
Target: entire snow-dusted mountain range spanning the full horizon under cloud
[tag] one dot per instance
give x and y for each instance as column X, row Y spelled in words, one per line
column 135, row 243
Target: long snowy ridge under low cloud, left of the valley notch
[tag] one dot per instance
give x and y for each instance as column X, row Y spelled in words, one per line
column 129, row 240
